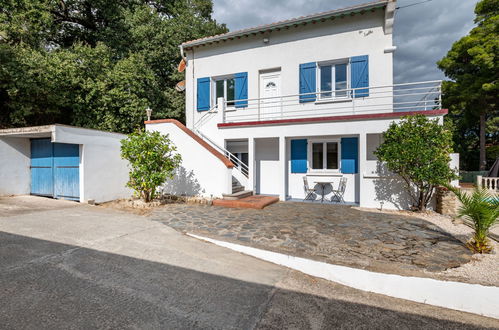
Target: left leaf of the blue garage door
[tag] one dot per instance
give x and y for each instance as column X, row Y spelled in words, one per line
column 42, row 180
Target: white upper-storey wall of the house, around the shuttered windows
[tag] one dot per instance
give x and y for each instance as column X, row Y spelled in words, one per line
column 287, row 49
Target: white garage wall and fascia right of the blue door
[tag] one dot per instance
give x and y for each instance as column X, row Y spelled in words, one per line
column 103, row 174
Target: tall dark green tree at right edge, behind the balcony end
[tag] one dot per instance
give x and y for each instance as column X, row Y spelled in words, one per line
column 472, row 95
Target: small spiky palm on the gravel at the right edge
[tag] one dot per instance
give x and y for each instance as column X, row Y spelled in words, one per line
column 481, row 210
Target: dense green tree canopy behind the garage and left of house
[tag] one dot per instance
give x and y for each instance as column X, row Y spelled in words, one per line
column 95, row 63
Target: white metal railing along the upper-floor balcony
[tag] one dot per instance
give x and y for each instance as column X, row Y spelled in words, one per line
column 417, row 96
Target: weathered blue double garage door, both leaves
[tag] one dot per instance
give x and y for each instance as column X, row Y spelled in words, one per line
column 55, row 169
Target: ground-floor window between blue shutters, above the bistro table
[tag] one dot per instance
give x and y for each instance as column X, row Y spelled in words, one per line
column 324, row 155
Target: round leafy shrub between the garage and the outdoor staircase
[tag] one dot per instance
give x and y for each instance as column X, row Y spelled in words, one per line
column 152, row 159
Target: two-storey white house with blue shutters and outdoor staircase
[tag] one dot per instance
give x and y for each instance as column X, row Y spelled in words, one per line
column 303, row 98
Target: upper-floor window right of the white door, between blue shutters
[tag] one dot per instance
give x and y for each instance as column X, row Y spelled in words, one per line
column 333, row 80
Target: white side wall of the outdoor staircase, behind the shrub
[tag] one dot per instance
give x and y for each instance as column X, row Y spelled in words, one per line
column 201, row 172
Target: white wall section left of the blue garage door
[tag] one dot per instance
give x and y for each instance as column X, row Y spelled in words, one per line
column 15, row 176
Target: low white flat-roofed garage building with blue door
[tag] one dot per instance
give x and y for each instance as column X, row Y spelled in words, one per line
column 63, row 162
